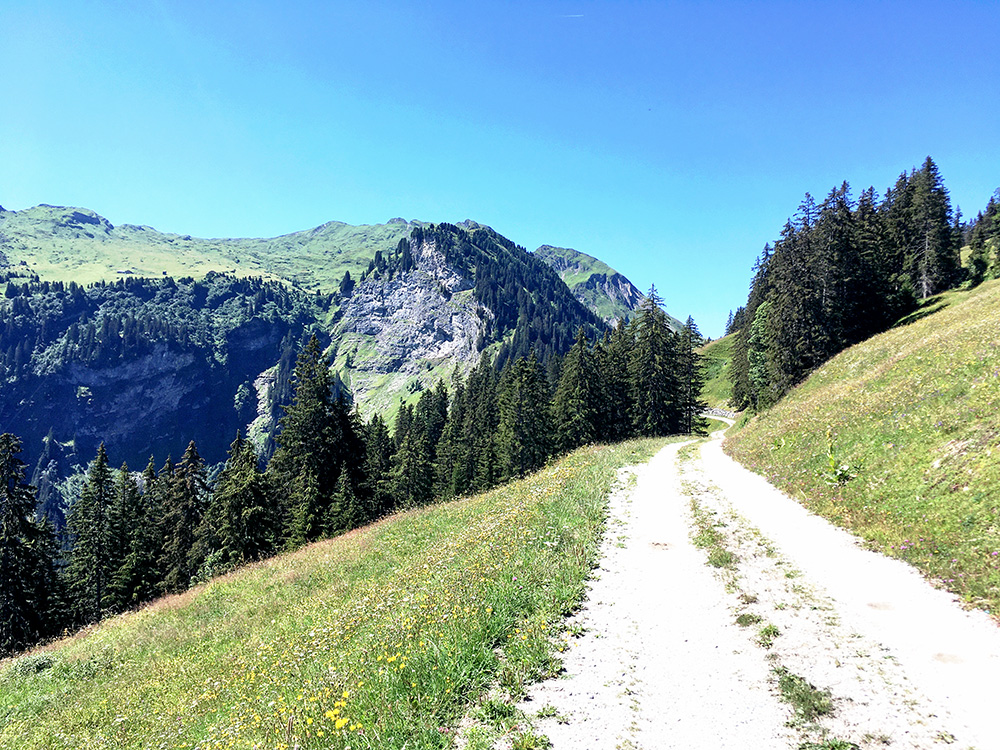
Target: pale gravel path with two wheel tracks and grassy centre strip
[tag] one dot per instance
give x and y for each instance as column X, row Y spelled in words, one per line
column 660, row 661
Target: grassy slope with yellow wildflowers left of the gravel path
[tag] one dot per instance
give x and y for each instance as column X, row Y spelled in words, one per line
column 378, row 639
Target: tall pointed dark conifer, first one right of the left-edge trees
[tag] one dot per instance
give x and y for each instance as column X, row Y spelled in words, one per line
column 89, row 523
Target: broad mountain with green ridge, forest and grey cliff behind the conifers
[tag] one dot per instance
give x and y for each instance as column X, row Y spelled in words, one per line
column 145, row 340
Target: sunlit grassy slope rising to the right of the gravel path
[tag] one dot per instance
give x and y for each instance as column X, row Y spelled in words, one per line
column 898, row 439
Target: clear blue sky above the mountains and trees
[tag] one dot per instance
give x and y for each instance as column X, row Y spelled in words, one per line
column 670, row 139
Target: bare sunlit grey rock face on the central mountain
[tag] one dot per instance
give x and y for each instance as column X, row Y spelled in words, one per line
column 397, row 332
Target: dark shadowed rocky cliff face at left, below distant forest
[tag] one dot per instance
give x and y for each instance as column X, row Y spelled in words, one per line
column 147, row 404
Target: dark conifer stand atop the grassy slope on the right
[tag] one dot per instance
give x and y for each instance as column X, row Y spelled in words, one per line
column 846, row 269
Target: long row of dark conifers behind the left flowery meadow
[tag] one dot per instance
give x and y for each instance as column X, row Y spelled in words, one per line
column 130, row 537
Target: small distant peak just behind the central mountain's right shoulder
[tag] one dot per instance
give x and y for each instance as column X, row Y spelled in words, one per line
column 600, row 287
